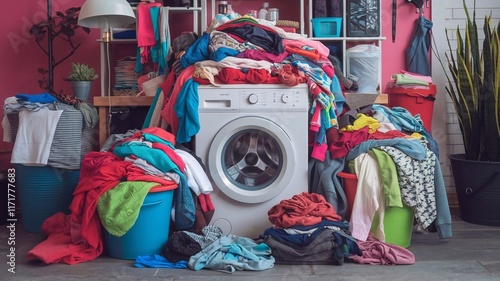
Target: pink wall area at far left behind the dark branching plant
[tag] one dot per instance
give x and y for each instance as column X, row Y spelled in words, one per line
column 21, row 57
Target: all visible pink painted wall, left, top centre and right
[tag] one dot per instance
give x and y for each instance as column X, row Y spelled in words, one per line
column 21, row 57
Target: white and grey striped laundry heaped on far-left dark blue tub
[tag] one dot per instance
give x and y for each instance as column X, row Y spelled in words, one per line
column 49, row 129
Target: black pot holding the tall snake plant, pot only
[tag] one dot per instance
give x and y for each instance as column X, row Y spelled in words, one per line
column 477, row 185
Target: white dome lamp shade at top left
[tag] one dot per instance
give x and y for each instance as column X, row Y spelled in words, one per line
column 106, row 13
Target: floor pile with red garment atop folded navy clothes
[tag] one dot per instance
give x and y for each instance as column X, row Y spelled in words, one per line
column 306, row 229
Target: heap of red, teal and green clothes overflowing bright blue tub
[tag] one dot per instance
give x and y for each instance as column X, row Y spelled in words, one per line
column 136, row 163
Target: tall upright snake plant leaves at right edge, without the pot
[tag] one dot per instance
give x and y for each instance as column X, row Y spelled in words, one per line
column 474, row 84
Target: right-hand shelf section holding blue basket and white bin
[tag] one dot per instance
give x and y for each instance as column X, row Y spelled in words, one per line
column 352, row 30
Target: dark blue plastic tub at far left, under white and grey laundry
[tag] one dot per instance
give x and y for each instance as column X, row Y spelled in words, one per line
column 43, row 191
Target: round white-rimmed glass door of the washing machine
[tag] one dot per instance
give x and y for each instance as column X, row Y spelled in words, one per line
column 251, row 159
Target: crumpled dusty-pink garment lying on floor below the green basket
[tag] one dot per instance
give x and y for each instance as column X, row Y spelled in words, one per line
column 376, row 252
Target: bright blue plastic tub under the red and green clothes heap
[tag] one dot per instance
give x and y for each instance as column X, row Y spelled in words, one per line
column 150, row 232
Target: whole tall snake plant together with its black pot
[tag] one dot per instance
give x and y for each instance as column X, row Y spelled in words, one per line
column 473, row 84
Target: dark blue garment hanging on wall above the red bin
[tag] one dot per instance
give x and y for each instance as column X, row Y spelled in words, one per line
column 418, row 53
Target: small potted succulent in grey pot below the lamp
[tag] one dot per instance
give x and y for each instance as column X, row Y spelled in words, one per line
column 81, row 77
